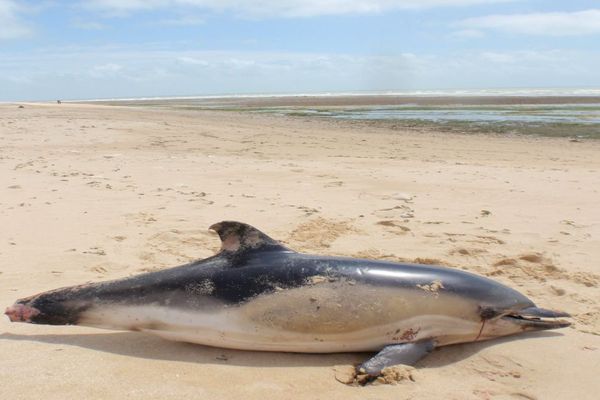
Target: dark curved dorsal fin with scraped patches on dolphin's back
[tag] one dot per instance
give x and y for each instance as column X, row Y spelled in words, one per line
column 237, row 237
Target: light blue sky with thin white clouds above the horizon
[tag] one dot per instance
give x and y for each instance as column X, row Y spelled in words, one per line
column 57, row 49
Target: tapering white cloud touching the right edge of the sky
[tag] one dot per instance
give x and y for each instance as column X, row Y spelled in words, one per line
column 548, row 24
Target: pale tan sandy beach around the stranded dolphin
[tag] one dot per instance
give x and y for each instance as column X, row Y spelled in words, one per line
column 93, row 192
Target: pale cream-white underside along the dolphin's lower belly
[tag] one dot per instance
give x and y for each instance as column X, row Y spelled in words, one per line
column 233, row 328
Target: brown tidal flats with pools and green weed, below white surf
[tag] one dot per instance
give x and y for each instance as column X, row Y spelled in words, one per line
column 425, row 112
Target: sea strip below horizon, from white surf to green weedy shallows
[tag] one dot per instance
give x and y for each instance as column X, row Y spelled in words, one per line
column 562, row 112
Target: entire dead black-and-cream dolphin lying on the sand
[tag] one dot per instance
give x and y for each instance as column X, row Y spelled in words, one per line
column 257, row 294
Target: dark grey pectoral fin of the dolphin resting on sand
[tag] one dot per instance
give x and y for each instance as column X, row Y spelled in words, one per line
column 405, row 353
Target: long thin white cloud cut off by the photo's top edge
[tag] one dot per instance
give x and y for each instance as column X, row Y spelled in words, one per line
column 282, row 8
